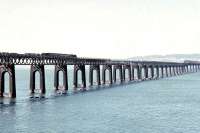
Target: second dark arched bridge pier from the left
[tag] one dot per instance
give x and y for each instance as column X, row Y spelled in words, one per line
column 37, row 68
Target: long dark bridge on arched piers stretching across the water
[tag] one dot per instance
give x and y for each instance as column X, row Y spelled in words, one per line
column 136, row 70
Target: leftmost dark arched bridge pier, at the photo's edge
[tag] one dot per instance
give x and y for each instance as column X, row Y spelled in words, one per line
column 10, row 68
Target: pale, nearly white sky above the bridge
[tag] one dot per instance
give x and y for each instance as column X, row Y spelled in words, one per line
column 100, row 28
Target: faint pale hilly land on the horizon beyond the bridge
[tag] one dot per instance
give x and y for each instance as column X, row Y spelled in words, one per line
column 170, row 57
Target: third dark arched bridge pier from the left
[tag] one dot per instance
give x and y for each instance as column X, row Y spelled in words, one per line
column 63, row 69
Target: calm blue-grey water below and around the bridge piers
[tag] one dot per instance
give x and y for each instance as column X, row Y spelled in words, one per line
column 169, row 105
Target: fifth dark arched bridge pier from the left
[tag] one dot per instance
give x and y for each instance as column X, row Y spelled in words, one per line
column 92, row 69
